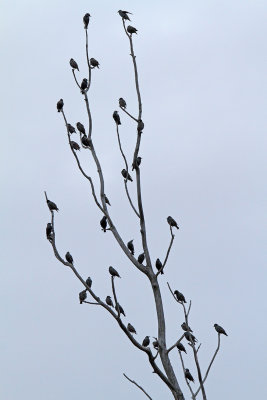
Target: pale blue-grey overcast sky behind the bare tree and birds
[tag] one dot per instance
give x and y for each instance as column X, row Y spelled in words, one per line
column 202, row 68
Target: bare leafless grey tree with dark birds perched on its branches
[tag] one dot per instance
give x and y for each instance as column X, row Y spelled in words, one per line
column 158, row 356
